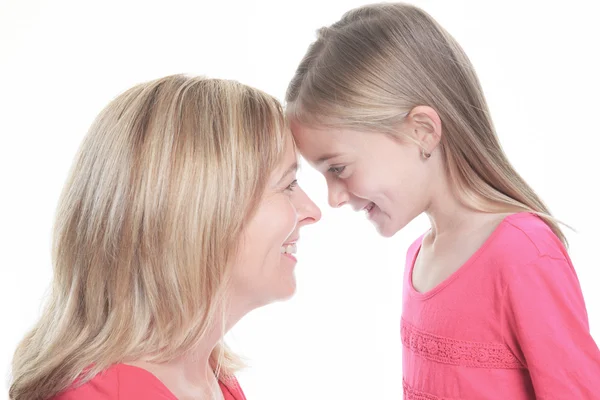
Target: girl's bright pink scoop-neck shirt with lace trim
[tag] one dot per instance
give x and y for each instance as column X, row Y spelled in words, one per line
column 511, row 323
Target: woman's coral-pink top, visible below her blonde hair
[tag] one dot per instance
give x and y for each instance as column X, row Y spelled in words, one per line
column 125, row 382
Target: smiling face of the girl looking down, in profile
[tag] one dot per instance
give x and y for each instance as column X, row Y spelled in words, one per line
column 387, row 178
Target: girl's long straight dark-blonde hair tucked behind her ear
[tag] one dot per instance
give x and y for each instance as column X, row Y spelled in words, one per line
column 368, row 70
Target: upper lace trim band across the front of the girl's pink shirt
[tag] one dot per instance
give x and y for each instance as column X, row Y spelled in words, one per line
column 458, row 352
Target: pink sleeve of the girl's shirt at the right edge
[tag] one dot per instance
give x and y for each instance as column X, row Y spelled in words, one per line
column 546, row 326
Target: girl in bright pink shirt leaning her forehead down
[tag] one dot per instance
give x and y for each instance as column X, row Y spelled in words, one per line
column 388, row 107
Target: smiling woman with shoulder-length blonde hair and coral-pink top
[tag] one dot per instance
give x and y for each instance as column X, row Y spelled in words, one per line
column 181, row 214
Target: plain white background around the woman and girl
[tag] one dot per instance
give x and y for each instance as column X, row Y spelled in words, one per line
column 62, row 61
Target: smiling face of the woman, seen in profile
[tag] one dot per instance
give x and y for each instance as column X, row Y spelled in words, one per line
column 264, row 271
